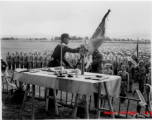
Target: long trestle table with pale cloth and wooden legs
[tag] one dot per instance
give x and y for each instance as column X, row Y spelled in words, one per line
column 78, row 85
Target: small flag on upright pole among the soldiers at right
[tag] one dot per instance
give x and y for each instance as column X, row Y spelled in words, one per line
column 134, row 56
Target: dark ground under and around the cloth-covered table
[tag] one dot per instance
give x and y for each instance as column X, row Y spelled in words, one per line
column 11, row 109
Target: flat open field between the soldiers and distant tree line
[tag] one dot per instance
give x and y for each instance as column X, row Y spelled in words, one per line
column 26, row 46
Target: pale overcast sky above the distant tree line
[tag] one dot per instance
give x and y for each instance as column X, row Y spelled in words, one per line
column 80, row 18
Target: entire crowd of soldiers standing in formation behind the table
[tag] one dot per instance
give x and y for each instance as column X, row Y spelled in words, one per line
column 114, row 62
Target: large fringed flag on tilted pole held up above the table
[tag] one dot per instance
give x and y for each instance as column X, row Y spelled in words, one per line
column 98, row 37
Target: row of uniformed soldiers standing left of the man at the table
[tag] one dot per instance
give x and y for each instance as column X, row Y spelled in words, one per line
column 28, row 60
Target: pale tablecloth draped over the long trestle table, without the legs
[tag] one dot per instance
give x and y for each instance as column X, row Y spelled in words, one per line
column 75, row 84
